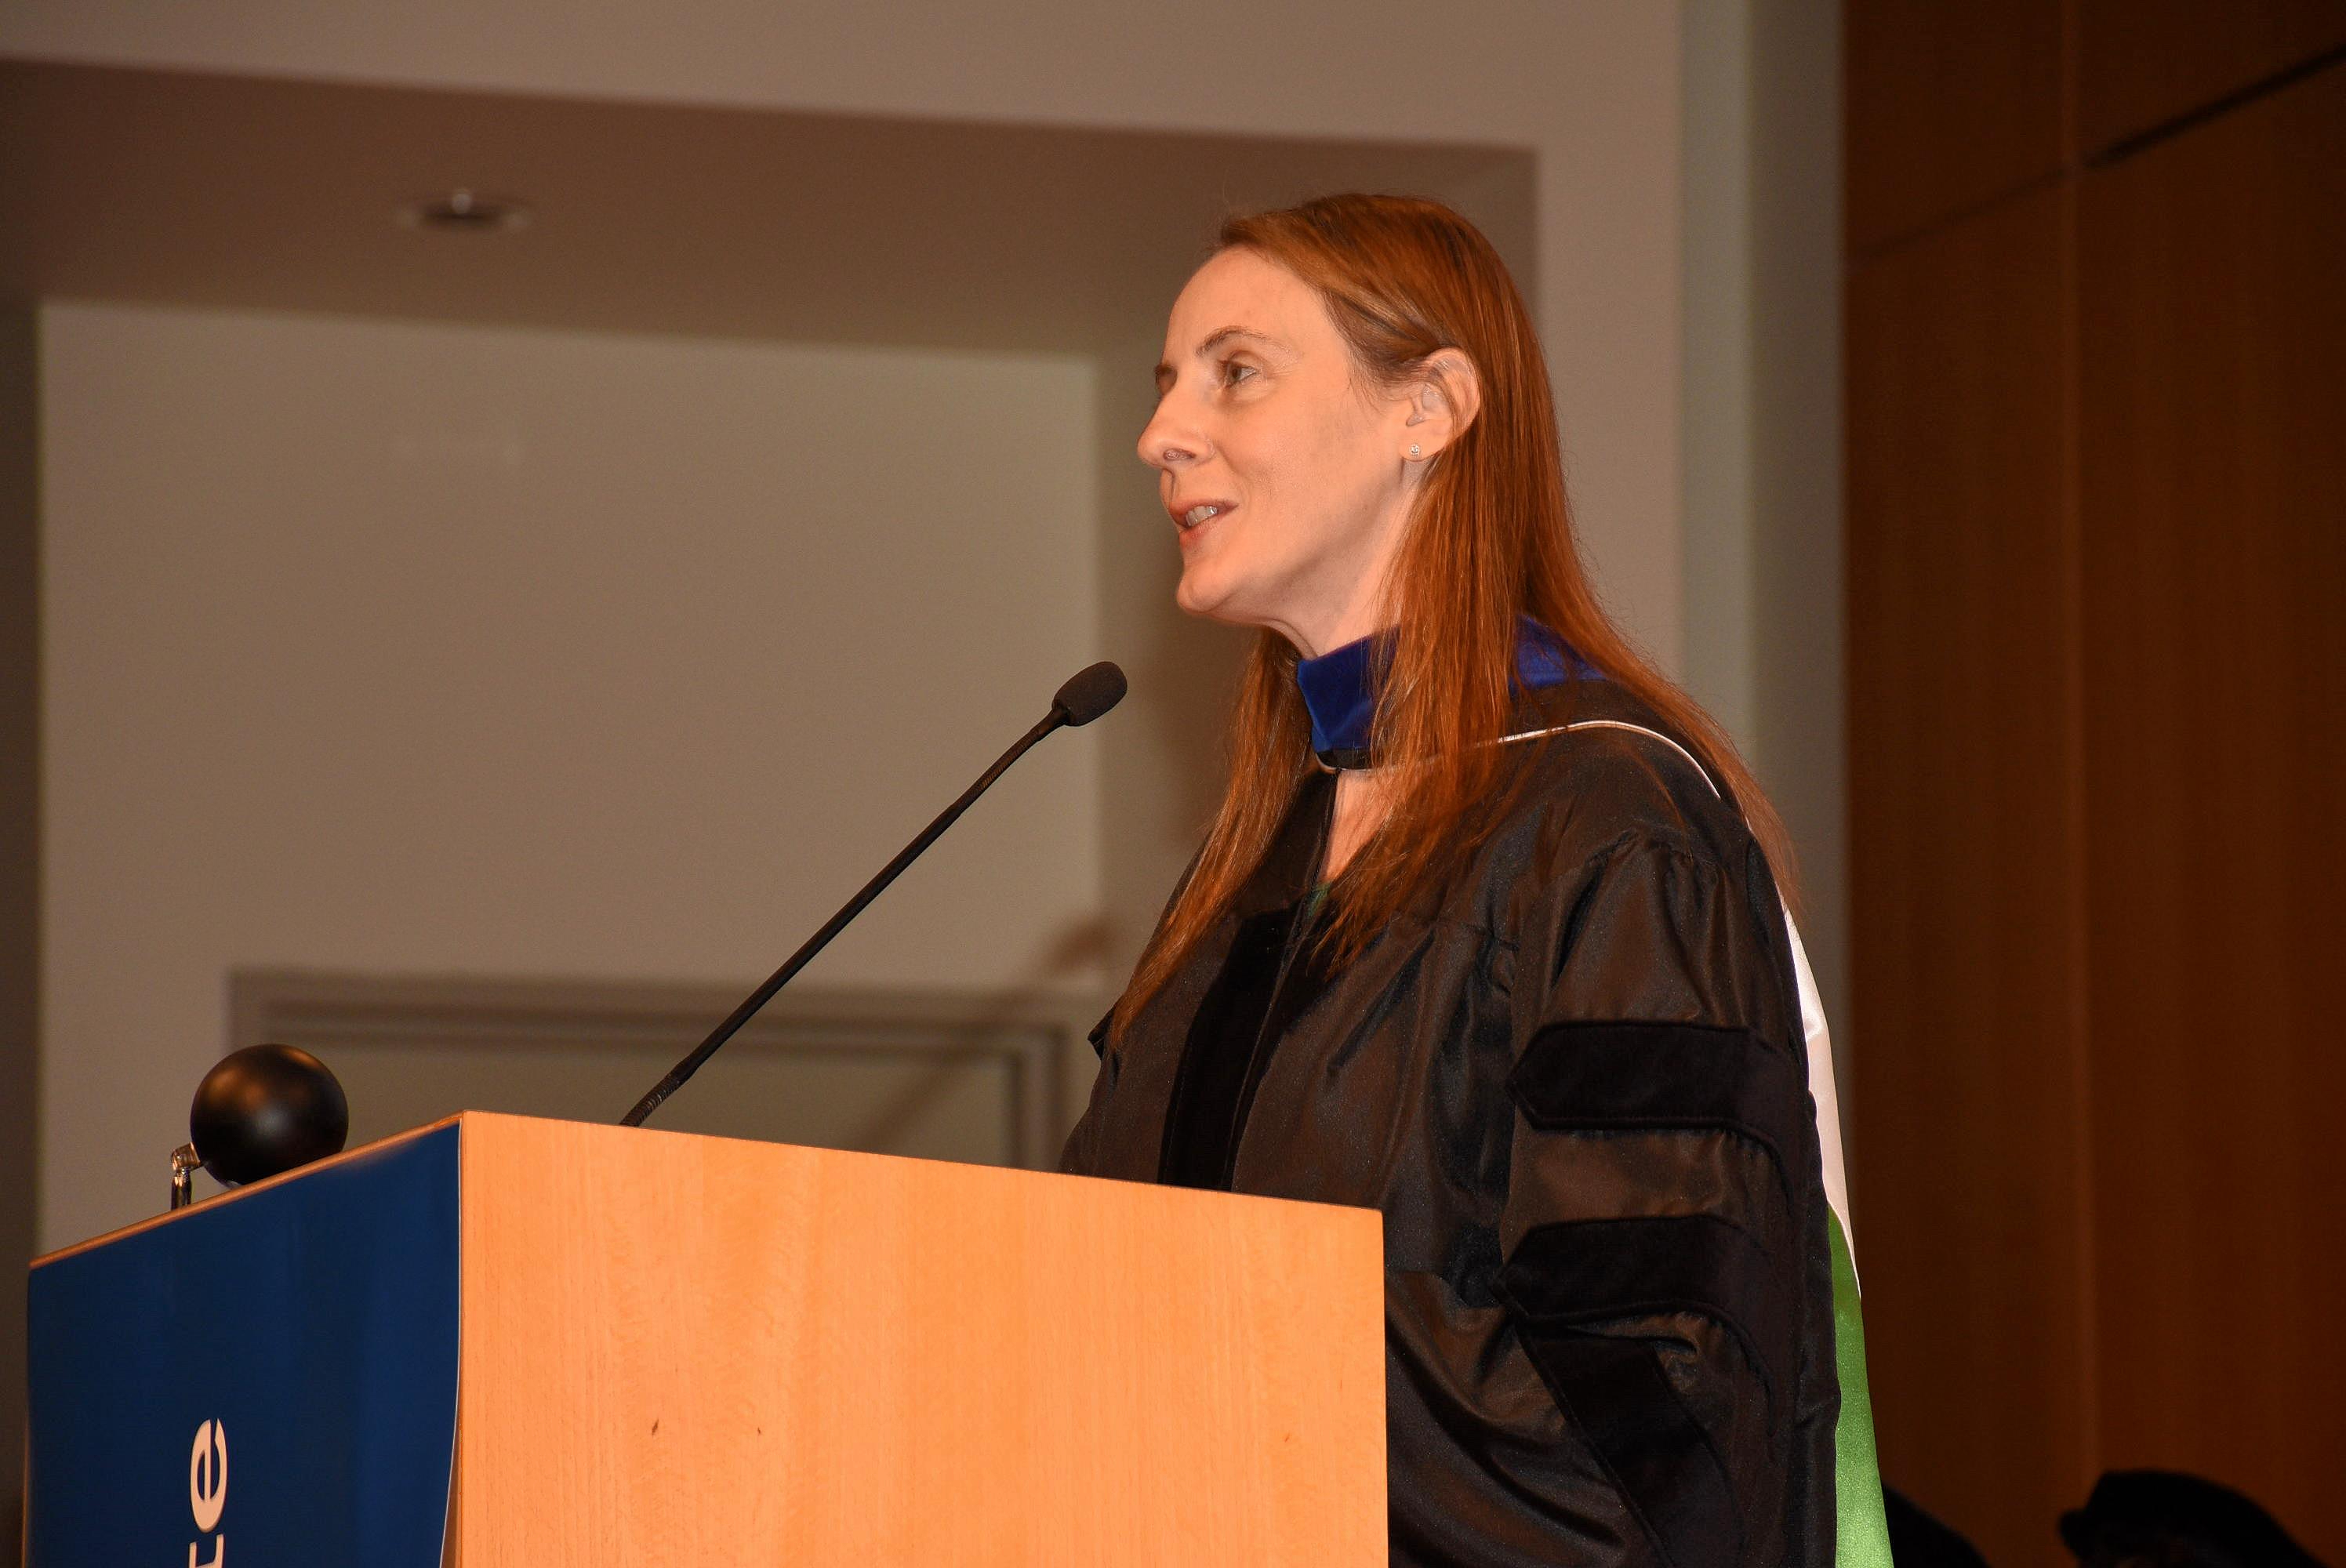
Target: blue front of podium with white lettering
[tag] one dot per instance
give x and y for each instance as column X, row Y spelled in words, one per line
column 273, row 1370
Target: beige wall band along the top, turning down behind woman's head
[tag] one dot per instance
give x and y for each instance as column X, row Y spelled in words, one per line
column 1587, row 86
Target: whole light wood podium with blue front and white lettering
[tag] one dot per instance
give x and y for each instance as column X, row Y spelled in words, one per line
column 703, row 1351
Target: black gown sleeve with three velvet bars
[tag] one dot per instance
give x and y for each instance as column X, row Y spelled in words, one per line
column 1627, row 1388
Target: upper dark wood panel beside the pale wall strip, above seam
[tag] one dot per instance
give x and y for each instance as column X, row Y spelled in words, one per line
column 1946, row 107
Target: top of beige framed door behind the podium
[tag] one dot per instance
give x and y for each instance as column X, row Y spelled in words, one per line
column 989, row 1076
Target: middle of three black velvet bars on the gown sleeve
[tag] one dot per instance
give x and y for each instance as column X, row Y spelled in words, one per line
column 1585, row 1273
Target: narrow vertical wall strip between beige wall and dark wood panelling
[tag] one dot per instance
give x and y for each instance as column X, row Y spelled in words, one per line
column 1763, row 438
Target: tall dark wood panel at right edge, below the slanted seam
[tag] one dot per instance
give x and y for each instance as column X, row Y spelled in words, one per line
column 2213, row 480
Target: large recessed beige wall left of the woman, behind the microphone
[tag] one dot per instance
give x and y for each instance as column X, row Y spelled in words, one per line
column 459, row 651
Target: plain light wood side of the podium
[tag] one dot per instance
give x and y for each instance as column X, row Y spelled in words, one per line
column 705, row 1351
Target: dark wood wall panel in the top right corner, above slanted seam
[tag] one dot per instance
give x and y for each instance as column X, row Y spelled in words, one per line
column 2148, row 62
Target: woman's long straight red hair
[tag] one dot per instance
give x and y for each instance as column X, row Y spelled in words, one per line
column 1489, row 541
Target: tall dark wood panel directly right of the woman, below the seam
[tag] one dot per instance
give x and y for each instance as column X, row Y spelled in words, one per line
column 1965, row 874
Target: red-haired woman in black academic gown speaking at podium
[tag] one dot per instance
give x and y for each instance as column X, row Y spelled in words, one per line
column 1486, row 935
